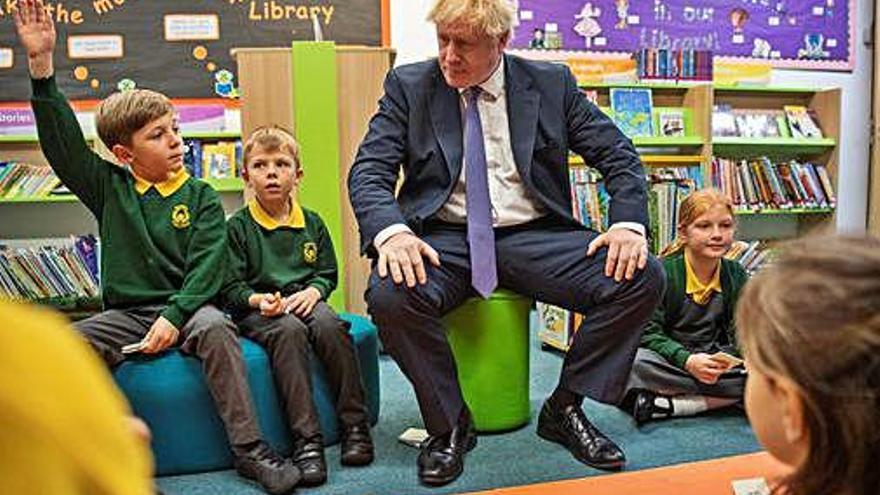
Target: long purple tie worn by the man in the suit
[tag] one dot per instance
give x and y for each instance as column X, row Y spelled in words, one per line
column 481, row 237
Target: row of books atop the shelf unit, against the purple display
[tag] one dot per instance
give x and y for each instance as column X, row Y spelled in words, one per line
column 675, row 65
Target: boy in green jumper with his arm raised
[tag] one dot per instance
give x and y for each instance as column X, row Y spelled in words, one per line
column 163, row 238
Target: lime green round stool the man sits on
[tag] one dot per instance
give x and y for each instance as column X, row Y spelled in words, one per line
column 490, row 342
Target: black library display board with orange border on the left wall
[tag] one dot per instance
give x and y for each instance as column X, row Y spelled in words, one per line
column 181, row 48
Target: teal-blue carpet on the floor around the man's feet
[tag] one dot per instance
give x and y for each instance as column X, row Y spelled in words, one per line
column 508, row 459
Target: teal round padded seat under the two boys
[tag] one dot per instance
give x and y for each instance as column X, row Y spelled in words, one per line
column 169, row 393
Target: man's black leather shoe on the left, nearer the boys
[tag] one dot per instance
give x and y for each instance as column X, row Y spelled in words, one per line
column 441, row 459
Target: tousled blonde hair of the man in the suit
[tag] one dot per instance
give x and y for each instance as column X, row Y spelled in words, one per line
column 492, row 17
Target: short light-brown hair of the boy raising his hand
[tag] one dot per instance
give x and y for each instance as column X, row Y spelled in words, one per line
column 122, row 114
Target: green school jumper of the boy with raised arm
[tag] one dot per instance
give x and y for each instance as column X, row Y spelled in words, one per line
column 161, row 244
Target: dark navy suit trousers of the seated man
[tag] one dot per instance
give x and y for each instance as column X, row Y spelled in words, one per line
column 544, row 260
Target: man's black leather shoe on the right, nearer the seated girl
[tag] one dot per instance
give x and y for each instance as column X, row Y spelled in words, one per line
column 570, row 428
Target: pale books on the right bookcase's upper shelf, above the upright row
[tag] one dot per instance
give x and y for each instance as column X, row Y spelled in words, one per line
column 793, row 121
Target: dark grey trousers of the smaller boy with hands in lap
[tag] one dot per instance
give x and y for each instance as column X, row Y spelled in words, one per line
column 287, row 339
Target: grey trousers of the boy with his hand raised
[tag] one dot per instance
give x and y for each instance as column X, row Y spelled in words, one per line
column 209, row 336
